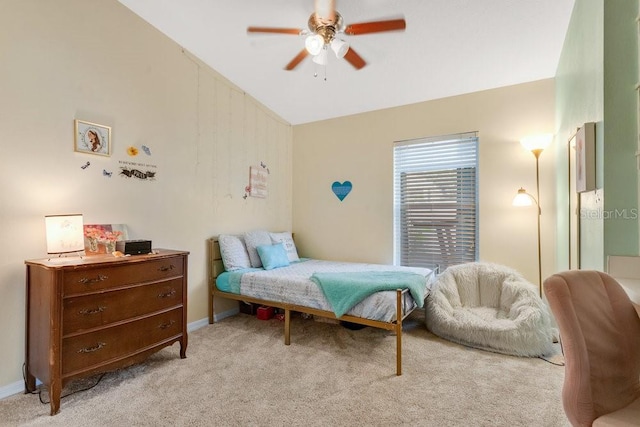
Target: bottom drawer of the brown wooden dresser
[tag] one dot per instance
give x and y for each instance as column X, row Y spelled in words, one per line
column 85, row 351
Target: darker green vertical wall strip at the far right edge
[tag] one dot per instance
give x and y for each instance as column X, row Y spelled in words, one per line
column 620, row 172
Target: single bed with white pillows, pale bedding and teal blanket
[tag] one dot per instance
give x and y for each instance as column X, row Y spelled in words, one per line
column 303, row 285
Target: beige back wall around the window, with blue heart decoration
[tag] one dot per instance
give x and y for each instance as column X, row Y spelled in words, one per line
column 360, row 149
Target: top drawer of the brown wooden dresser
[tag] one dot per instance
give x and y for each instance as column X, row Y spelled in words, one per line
column 85, row 280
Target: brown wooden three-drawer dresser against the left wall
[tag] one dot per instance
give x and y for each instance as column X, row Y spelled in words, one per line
column 99, row 313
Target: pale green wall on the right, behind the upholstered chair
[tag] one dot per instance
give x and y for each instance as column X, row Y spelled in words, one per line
column 595, row 82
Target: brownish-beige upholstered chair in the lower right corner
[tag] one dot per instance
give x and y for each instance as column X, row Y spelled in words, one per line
column 600, row 336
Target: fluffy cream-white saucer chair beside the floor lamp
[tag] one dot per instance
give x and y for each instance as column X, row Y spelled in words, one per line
column 491, row 307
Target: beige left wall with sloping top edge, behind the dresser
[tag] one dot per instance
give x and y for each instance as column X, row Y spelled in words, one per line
column 97, row 61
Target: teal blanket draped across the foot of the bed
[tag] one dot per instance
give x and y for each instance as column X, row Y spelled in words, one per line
column 344, row 290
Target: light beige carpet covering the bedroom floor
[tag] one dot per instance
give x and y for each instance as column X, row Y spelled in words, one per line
column 238, row 372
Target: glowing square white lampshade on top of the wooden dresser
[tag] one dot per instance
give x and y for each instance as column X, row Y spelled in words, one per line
column 64, row 233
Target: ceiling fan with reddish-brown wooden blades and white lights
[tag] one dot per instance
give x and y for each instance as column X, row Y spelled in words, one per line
column 325, row 25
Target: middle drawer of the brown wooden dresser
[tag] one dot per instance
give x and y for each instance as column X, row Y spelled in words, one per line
column 91, row 311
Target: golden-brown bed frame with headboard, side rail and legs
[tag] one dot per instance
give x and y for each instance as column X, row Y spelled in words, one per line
column 216, row 268
